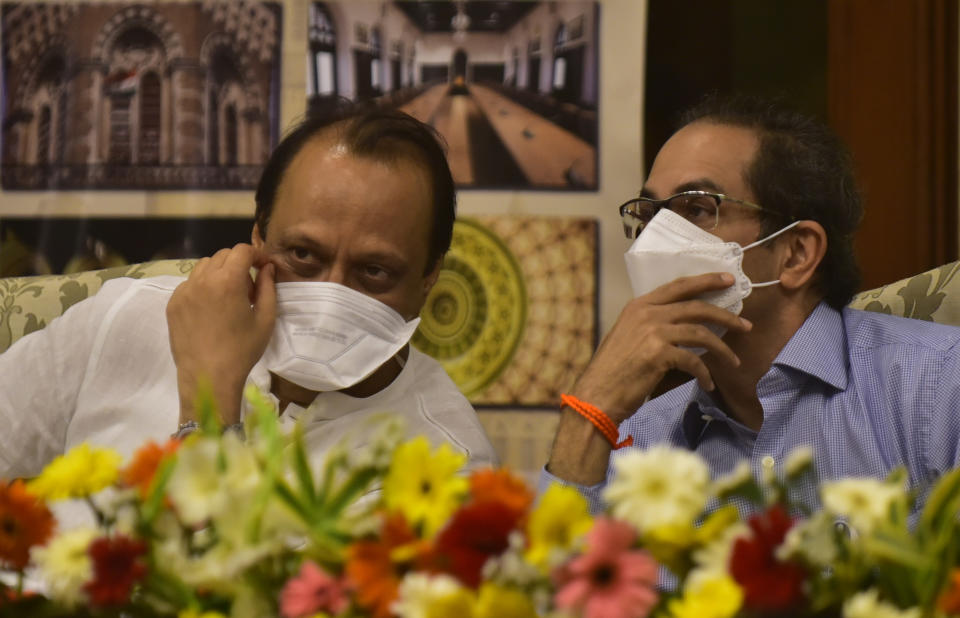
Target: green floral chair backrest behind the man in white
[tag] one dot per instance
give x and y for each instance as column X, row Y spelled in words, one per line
column 29, row 303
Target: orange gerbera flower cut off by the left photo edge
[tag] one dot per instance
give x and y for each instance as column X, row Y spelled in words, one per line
column 25, row 521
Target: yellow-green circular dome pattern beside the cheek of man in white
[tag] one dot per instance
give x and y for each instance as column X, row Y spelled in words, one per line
column 474, row 317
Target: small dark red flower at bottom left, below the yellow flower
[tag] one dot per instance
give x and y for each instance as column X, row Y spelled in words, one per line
column 116, row 568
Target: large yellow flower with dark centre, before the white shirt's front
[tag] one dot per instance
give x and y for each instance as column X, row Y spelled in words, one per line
column 424, row 486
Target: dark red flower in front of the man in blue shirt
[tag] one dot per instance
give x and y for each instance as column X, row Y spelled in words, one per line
column 768, row 584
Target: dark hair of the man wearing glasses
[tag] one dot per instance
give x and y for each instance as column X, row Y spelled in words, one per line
column 801, row 170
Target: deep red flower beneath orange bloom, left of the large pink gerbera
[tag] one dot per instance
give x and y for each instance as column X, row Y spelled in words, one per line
column 475, row 533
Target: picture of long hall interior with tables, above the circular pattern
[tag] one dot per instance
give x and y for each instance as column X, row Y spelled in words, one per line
column 511, row 86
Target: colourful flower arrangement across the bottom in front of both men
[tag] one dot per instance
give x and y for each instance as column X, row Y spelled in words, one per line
column 216, row 525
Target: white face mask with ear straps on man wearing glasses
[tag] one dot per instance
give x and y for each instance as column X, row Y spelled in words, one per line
column 671, row 247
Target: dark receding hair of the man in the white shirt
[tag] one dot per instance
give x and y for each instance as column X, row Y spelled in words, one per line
column 380, row 134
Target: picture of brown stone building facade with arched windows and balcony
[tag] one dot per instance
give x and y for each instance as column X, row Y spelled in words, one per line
column 139, row 96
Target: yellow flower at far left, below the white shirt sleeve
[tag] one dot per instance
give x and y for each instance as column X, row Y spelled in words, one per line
column 78, row 473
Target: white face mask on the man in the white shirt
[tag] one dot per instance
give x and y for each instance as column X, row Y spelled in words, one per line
column 328, row 337
